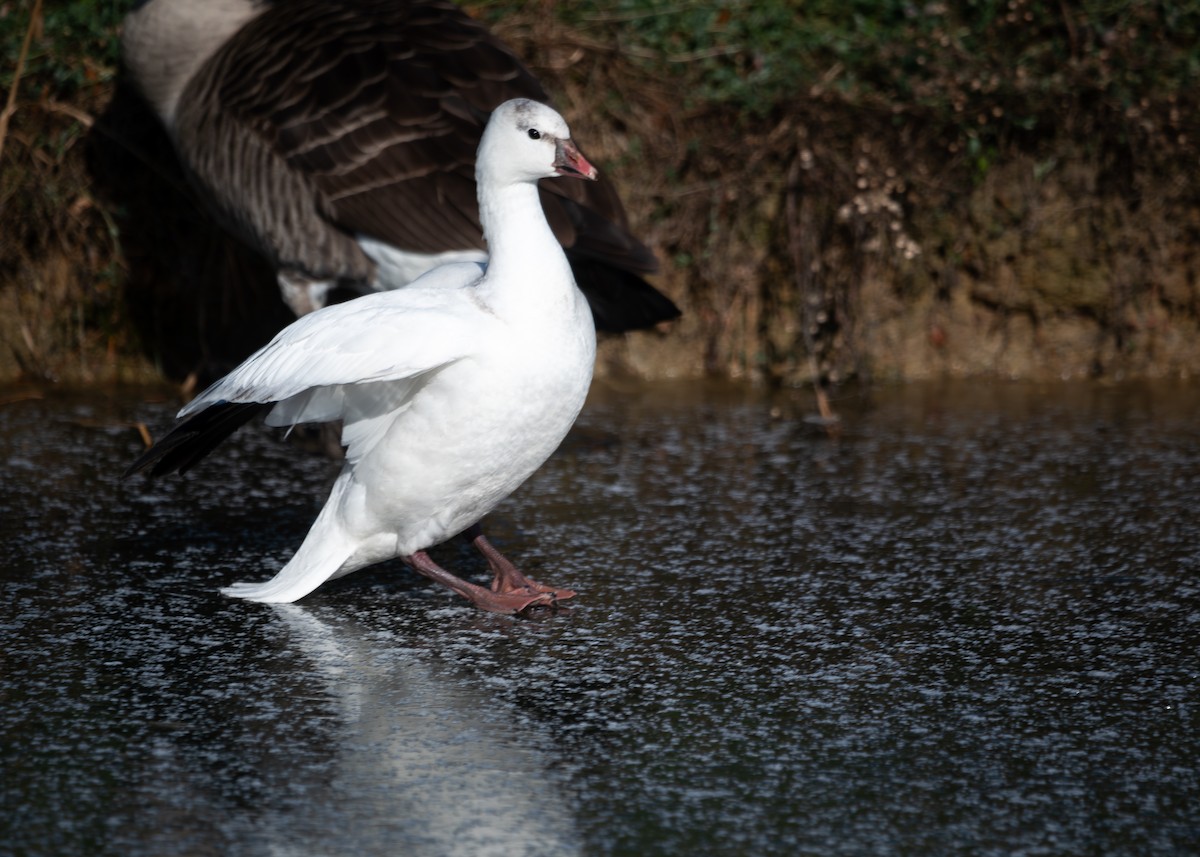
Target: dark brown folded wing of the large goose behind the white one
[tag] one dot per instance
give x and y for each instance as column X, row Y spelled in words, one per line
column 395, row 97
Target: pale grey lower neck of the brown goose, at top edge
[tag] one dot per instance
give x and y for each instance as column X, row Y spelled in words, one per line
column 167, row 41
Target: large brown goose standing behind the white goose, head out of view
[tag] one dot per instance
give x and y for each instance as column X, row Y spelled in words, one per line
column 338, row 139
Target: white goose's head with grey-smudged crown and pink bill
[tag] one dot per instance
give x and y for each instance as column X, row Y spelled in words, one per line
column 526, row 141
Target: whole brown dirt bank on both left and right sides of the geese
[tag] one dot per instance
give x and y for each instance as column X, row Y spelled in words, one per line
column 819, row 237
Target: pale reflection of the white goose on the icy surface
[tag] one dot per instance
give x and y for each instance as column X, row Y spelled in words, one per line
column 419, row 770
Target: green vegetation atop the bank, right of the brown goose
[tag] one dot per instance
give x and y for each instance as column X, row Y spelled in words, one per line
column 986, row 68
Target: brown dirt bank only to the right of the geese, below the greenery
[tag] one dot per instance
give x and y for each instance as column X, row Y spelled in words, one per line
column 830, row 239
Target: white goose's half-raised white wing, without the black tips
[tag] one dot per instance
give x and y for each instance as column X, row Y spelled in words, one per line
column 358, row 359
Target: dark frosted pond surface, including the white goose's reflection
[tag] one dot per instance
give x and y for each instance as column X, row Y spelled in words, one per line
column 969, row 626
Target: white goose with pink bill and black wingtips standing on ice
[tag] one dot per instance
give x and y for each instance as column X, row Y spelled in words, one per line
column 453, row 391
